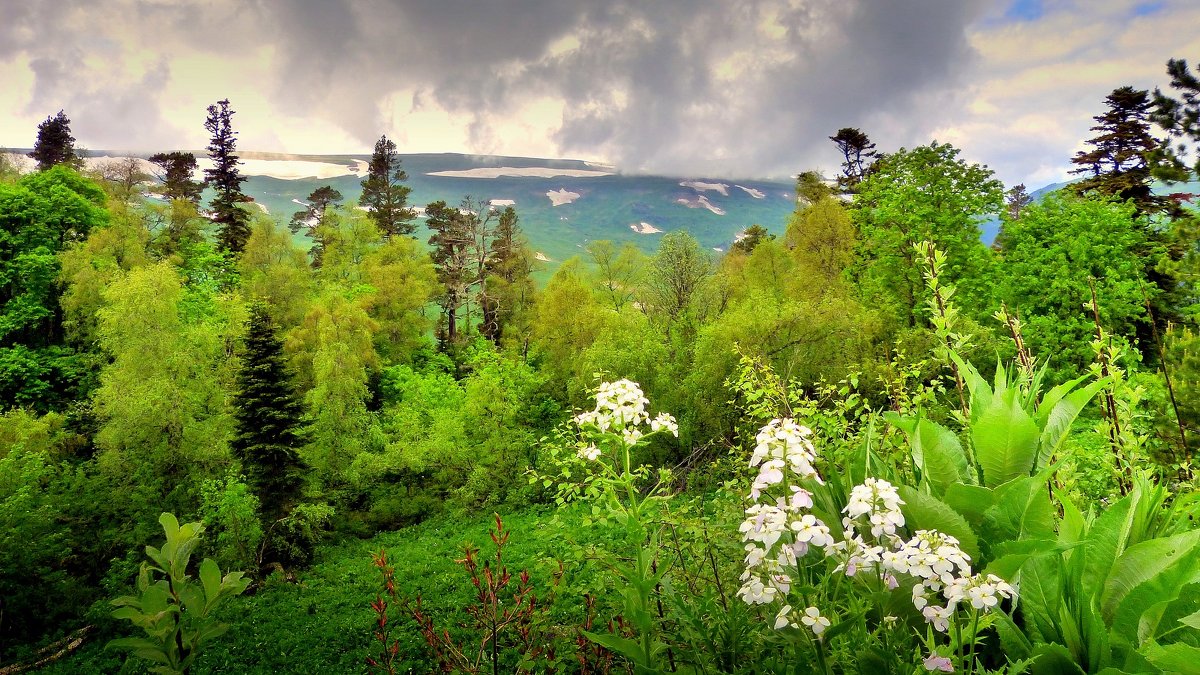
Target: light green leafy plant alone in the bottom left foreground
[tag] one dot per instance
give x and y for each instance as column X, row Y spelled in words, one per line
column 175, row 612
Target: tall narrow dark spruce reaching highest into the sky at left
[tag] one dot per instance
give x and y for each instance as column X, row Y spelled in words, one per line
column 226, row 181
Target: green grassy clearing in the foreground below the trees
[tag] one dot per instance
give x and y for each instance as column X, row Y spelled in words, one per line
column 323, row 624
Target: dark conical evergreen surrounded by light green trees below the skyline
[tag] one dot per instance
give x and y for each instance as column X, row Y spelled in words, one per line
column 269, row 417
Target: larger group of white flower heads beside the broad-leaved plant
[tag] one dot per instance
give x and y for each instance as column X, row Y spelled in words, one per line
column 778, row 533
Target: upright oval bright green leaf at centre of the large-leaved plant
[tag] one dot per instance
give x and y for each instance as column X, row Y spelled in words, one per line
column 1005, row 439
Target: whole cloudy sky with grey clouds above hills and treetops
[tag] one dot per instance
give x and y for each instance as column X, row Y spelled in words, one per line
column 699, row 88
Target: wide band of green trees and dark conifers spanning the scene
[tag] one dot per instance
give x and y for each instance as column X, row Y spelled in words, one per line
column 160, row 356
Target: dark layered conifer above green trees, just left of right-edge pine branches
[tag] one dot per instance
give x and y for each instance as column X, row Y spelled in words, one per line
column 1118, row 165
